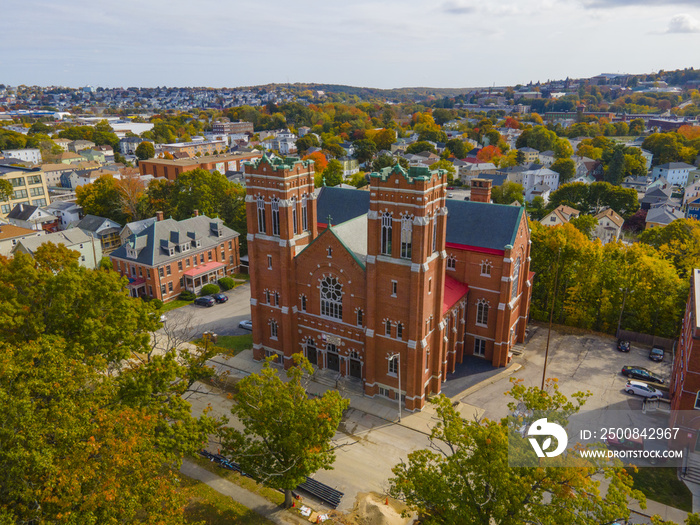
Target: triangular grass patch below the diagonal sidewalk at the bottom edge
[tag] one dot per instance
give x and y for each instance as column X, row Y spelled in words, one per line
column 212, row 508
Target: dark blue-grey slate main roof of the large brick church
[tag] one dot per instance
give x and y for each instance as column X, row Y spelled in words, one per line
column 479, row 224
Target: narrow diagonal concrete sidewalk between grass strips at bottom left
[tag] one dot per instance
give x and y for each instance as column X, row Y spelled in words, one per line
column 256, row 503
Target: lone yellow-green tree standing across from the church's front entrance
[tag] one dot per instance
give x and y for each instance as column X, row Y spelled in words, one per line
column 286, row 435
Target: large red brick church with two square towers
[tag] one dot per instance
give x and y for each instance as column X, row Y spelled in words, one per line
column 354, row 279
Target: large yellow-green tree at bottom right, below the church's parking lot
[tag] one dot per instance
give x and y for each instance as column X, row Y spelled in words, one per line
column 465, row 477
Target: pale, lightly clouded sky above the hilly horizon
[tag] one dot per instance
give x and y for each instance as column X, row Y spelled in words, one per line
column 379, row 43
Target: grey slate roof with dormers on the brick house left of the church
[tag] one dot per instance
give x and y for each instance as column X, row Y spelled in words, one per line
column 150, row 243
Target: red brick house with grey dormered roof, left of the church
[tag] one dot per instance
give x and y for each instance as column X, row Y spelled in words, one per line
column 171, row 256
